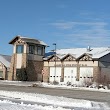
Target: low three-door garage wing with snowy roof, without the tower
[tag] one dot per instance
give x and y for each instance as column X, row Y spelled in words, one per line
column 78, row 66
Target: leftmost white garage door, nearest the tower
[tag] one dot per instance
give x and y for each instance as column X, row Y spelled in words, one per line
column 55, row 74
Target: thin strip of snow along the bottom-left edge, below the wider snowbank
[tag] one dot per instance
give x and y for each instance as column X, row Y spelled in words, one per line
column 8, row 105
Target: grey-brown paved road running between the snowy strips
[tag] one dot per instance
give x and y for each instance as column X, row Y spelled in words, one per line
column 76, row 94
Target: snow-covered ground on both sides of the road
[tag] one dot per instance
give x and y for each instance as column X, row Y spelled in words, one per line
column 46, row 102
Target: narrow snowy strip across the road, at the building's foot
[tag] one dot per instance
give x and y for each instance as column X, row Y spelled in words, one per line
column 48, row 85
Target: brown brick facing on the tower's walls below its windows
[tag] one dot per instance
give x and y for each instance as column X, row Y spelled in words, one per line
column 33, row 69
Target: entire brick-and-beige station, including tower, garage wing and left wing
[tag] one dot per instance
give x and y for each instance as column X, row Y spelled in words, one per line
column 77, row 66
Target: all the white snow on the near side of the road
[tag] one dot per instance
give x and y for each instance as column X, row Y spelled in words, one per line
column 47, row 102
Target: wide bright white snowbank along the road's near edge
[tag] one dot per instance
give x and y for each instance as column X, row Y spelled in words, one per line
column 53, row 101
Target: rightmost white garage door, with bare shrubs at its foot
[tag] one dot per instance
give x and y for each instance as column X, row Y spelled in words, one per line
column 86, row 75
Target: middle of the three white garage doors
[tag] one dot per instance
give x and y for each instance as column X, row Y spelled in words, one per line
column 70, row 75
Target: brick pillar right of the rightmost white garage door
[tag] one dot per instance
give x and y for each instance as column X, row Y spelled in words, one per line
column 97, row 75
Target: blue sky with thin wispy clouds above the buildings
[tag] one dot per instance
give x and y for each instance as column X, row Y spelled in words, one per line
column 69, row 23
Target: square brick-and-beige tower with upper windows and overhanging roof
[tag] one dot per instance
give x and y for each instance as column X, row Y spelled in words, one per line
column 27, row 59
